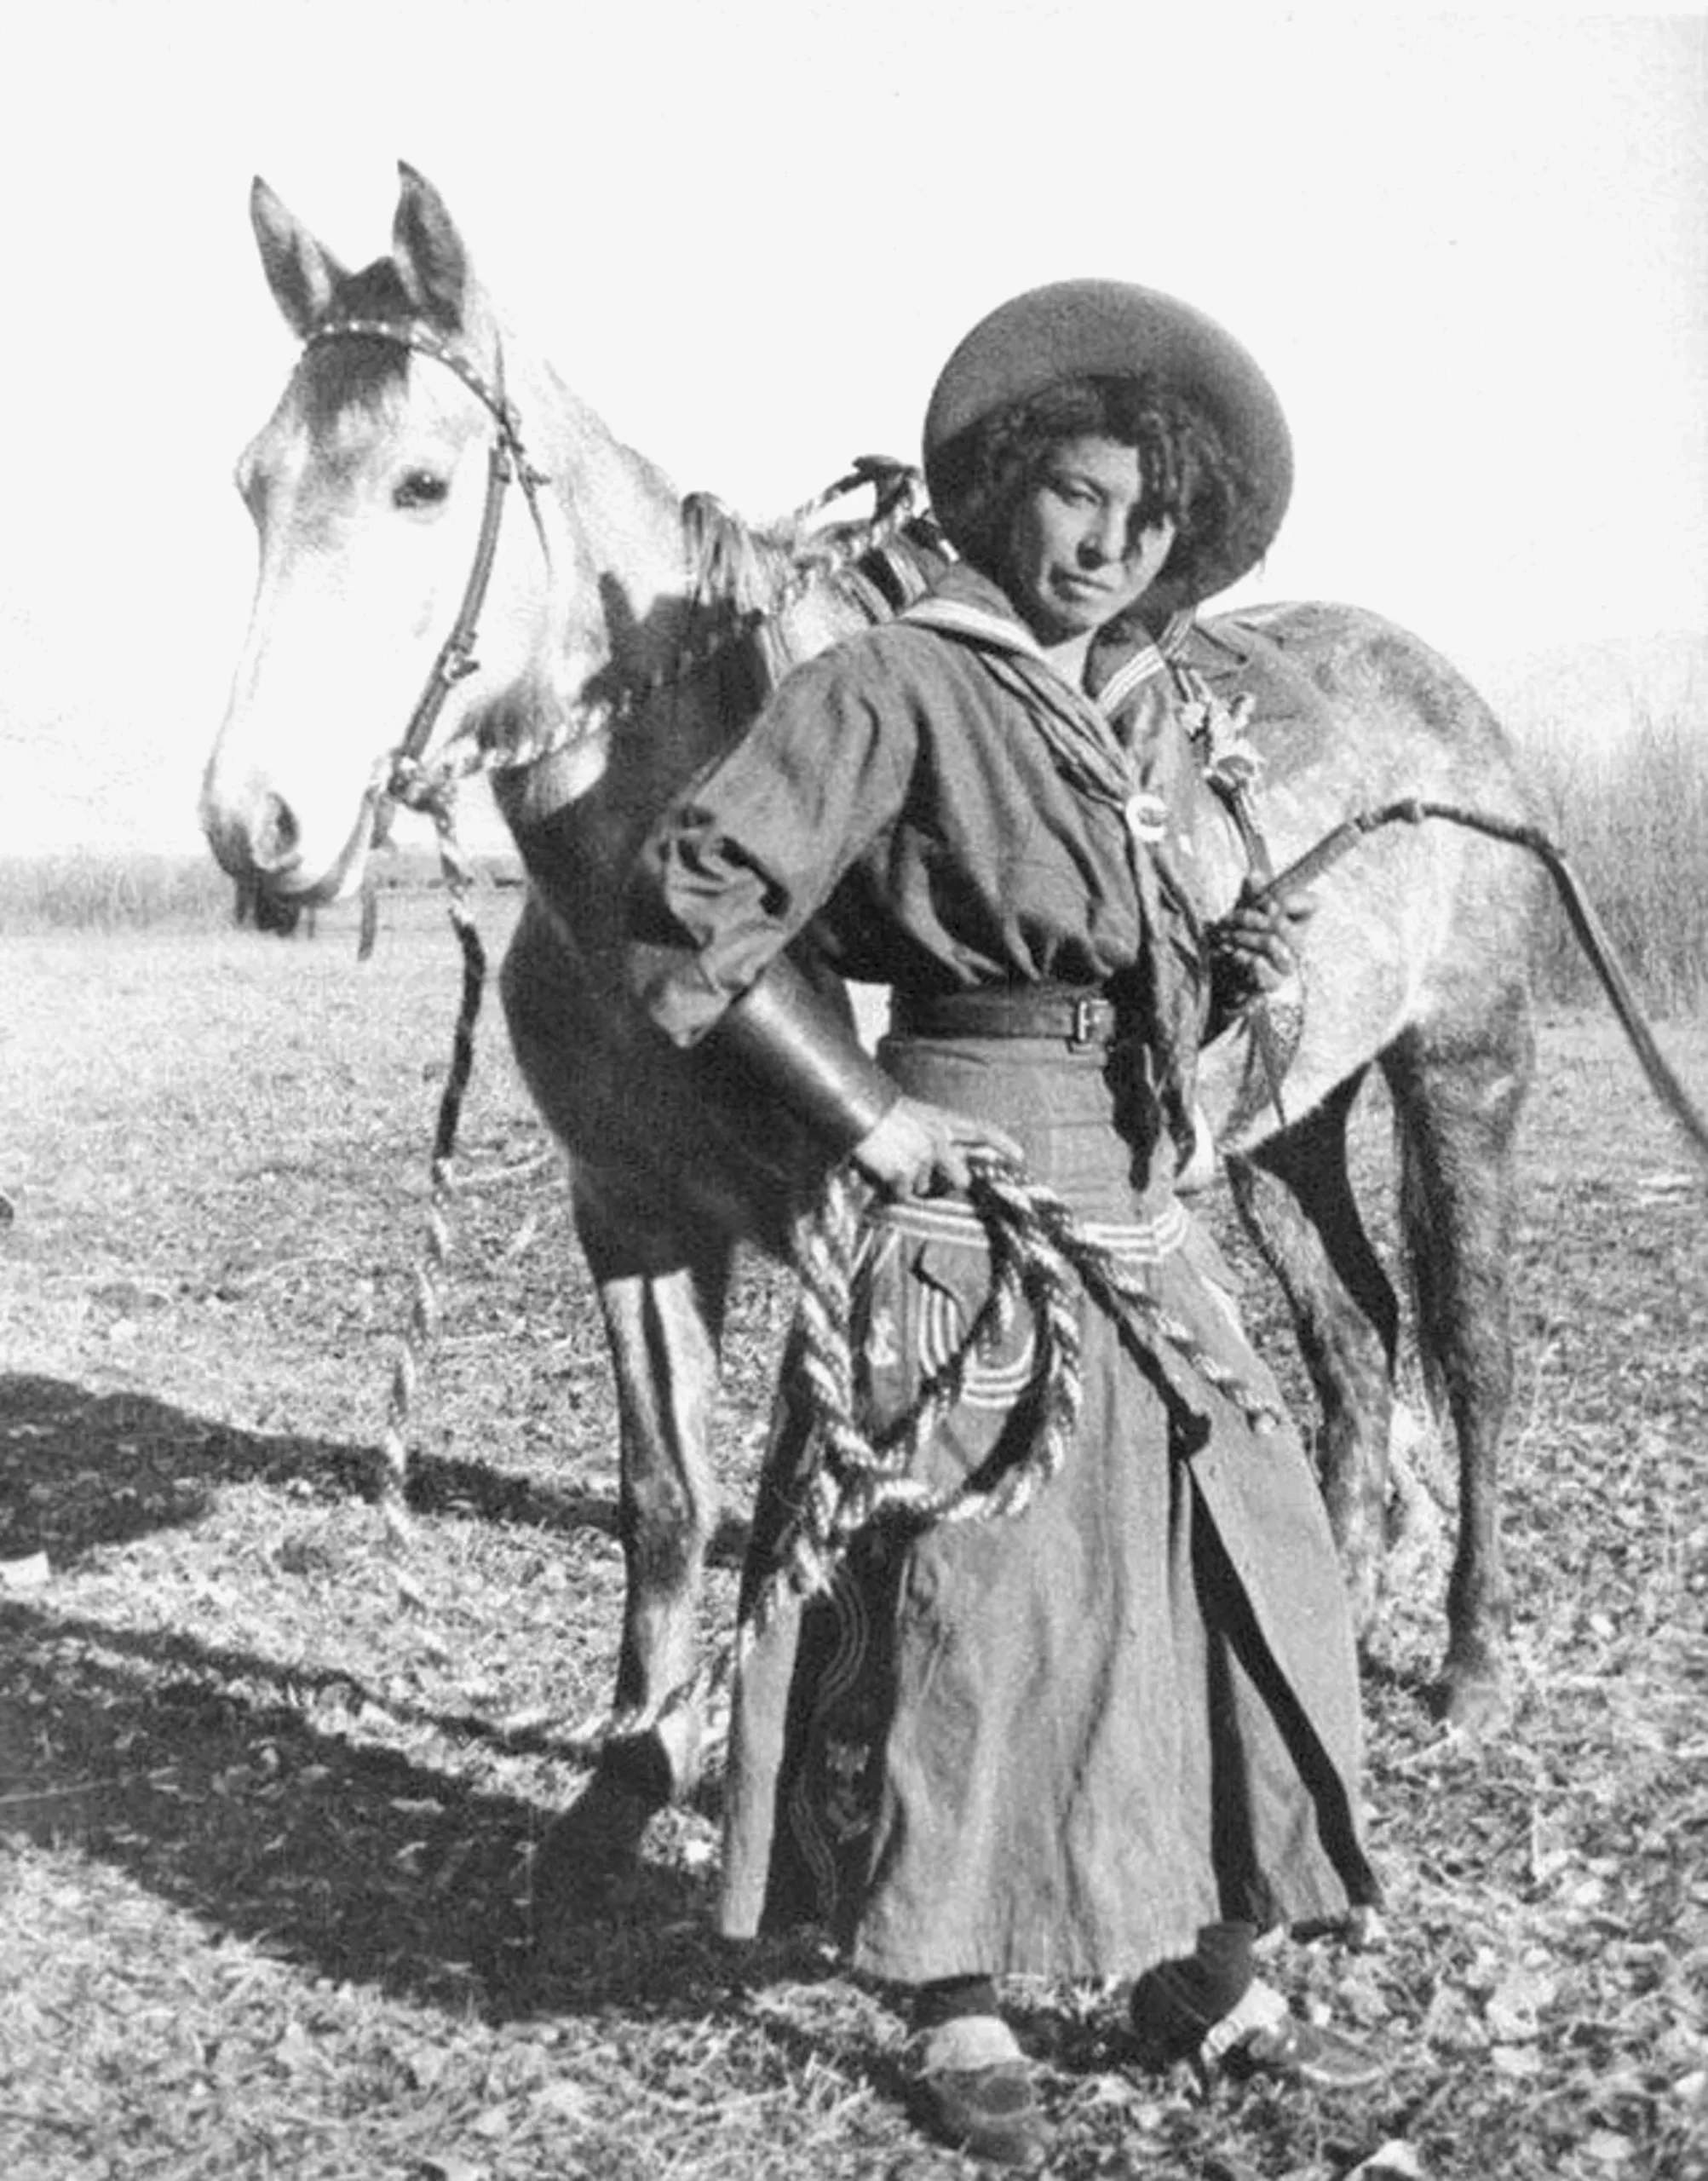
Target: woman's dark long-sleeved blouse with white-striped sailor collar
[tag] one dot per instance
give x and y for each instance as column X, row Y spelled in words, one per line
column 937, row 808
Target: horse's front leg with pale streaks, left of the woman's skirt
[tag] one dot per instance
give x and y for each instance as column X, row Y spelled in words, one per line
column 664, row 1314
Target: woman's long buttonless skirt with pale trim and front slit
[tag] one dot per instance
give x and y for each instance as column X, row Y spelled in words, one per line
column 1066, row 1739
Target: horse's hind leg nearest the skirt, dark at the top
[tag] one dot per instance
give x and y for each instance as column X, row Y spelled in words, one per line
column 1297, row 1203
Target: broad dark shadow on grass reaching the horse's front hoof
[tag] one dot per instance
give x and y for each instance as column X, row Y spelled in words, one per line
column 204, row 1776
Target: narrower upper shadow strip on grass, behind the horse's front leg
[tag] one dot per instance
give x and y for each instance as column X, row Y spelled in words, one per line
column 86, row 1469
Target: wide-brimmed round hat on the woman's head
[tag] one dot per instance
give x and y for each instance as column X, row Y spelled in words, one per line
column 1107, row 328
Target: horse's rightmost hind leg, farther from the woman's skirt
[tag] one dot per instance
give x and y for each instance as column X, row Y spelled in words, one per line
column 1458, row 1096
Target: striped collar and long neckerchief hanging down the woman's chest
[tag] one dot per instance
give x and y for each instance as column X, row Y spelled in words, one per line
column 1103, row 740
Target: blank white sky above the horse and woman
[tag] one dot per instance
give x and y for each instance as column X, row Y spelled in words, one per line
column 1471, row 252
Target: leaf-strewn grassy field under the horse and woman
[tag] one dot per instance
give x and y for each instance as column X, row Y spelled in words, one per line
column 269, row 1790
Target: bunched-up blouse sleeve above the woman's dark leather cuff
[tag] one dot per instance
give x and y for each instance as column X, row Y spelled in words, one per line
column 758, row 845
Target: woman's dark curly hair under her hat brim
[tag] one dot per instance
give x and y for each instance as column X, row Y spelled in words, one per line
column 1188, row 472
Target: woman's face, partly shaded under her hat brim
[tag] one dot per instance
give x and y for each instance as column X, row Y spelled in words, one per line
column 1076, row 557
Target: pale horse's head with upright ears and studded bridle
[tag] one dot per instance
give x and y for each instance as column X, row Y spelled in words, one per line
column 378, row 490
